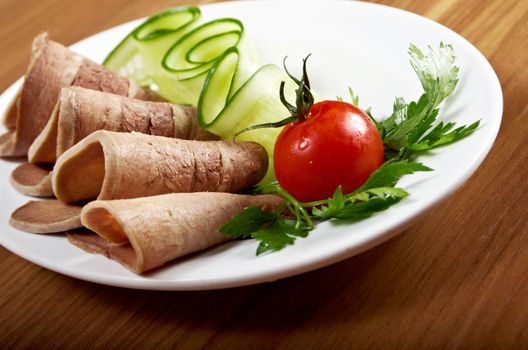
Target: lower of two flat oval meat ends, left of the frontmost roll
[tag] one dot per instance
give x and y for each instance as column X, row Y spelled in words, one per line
column 48, row 216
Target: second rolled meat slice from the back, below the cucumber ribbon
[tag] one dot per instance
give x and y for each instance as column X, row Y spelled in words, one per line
column 81, row 111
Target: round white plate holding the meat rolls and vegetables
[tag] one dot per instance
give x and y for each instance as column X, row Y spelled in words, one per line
column 352, row 44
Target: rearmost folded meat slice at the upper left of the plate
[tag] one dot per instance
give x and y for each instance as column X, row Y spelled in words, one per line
column 53, row 66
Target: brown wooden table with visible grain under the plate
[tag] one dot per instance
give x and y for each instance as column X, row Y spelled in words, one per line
column 459, row 279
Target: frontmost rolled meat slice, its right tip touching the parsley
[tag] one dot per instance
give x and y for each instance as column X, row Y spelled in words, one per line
column 145, row 233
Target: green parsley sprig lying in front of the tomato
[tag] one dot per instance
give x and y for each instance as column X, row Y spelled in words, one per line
column 295, row 219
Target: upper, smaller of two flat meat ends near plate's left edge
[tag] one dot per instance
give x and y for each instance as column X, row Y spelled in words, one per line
column 32, row 180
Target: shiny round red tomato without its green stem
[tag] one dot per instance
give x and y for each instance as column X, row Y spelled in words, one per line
column 338, row 144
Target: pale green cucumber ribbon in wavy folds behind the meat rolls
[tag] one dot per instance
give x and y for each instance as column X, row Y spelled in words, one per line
column 210, row 65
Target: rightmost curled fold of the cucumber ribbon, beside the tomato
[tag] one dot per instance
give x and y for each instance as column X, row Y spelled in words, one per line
column 225, row 112
